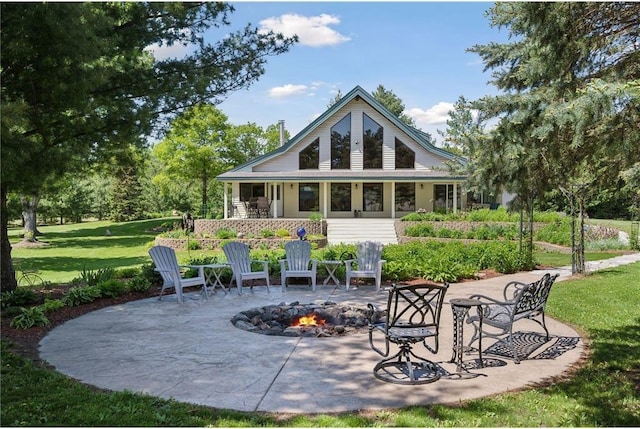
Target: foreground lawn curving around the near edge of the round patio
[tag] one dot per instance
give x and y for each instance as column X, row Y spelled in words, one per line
column 603, row 392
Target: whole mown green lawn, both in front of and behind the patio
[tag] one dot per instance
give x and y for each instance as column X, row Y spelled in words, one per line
column 603, row 391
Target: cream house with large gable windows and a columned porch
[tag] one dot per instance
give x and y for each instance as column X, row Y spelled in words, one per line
column 356, row 159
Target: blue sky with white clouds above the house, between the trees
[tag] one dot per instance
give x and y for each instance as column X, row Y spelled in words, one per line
column 417, row 50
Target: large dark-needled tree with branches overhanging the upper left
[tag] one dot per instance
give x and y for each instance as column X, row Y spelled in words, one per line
column 78, row 81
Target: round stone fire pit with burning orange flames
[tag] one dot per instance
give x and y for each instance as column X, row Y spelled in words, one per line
column 327, row 319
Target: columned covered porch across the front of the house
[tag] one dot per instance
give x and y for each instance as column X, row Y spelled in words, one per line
column 366, row 198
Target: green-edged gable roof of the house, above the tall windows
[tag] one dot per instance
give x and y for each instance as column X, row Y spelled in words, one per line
column 419, row 136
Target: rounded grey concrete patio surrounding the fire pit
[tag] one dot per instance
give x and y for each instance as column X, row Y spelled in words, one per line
column 192, row 353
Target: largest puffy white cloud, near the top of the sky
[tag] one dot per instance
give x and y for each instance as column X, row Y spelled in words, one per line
column 311, row 31
